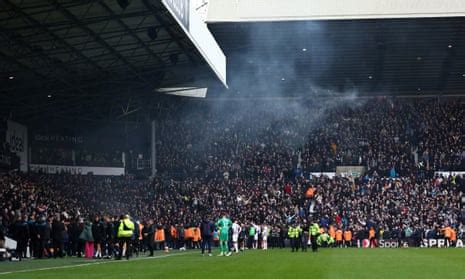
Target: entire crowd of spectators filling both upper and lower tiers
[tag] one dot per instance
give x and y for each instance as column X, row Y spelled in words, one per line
column 254, row 162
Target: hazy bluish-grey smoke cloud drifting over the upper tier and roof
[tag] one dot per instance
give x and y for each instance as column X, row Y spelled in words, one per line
column 272, row 91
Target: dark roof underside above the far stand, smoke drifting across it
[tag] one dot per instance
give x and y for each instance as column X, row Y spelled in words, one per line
column 369, row 56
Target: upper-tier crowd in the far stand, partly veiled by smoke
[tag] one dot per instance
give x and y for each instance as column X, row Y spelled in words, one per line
column 382, row 134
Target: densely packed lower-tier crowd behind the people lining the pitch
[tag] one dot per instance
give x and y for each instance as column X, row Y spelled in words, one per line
column 388, row 204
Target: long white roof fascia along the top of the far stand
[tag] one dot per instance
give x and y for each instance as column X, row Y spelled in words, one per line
column 282, row 10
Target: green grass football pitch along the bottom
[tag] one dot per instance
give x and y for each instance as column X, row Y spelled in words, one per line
column 327, row 263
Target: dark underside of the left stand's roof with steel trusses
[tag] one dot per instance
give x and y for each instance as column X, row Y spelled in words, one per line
column 96, row 59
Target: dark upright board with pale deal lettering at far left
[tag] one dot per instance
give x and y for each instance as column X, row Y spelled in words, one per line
column 16, row 136
